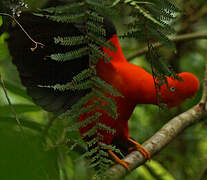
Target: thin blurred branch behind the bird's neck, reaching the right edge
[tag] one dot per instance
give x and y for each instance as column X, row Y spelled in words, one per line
column 185, row 37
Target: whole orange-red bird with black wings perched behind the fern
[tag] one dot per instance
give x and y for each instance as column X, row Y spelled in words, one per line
column 133, row 82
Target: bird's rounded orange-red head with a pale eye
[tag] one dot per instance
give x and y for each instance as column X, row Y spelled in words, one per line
column 177, row 91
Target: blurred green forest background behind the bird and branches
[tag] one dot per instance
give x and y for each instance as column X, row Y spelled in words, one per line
column 39, row 152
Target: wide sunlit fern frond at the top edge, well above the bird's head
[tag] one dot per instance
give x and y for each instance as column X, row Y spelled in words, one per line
column 152, row 18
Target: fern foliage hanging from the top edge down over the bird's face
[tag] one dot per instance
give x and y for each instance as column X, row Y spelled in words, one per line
column 151, row 23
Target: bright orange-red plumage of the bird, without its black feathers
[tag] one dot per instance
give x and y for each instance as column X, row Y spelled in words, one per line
column 137, row 87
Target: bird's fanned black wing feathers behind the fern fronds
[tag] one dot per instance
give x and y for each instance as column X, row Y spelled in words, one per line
column 37, row 68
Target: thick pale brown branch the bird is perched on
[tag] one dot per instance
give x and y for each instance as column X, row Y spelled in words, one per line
column 164, row 136
